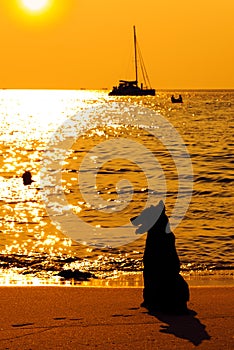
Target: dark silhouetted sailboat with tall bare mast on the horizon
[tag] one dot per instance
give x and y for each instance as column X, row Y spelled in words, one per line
column 131, row 87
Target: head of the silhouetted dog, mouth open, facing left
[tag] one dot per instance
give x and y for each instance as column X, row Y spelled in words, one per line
column 152, row 217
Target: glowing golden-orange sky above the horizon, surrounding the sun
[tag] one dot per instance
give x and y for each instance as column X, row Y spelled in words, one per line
column 72, row 44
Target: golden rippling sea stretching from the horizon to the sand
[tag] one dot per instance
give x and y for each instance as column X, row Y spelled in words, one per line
column 98, row 161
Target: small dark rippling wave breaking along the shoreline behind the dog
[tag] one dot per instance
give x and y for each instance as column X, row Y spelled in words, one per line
column 103, row 266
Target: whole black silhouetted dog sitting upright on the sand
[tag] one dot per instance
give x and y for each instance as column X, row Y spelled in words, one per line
column 165, row 289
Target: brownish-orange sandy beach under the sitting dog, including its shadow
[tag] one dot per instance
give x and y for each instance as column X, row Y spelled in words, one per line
column 111, row 318
